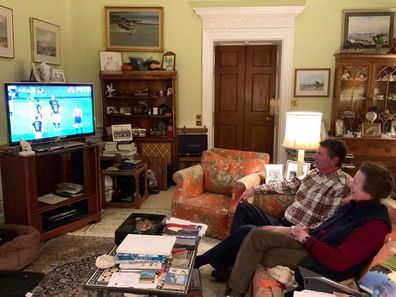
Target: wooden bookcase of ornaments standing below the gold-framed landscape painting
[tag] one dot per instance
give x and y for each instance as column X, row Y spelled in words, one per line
column 146, row 100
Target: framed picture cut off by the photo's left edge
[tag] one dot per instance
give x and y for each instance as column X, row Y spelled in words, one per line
column 6, row 32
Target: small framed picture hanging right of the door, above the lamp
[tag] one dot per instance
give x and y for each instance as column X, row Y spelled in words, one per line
column 312, row 82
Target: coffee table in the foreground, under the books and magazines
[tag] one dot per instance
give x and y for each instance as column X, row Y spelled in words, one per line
column 194, row 289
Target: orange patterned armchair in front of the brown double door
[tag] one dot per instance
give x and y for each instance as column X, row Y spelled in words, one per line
column 209, row 192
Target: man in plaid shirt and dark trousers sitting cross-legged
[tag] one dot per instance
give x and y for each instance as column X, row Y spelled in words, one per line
column 317, row 197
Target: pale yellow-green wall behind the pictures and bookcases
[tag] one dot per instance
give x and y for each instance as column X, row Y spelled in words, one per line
column 317, row 38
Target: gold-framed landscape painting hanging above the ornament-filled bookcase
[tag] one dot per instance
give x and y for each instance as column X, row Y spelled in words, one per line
column 145, row 24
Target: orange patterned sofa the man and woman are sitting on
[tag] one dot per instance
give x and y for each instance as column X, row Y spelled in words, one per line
column 275, row 204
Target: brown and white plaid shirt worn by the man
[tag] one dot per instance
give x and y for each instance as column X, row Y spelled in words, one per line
column 318, row 196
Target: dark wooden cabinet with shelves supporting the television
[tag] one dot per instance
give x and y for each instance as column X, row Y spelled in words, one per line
column 24, row 179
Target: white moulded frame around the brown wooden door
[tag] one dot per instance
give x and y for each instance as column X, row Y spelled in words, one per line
column 274, row 24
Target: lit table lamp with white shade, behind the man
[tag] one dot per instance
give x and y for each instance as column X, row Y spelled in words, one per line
column 302, row 133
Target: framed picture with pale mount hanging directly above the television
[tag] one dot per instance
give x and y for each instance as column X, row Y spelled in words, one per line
column 45, row 41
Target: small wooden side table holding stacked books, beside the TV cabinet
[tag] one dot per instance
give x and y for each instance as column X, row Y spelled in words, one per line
column 135, row 174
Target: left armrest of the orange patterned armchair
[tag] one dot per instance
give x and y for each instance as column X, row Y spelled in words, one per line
column 189, row 182
